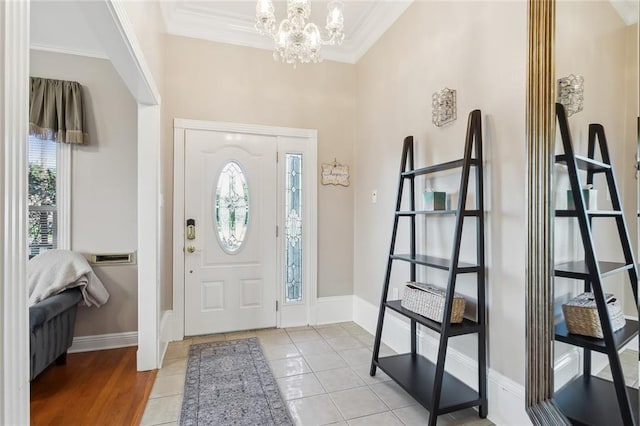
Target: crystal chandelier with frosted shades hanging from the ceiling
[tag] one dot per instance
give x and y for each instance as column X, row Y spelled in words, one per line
column 295, row 39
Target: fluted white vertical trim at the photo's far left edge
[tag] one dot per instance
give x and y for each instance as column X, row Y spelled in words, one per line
column 14, row 107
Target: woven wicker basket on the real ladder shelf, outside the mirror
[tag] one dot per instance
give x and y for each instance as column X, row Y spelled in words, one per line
column 428, row 301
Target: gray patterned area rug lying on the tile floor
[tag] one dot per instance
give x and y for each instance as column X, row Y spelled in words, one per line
column 230, row 383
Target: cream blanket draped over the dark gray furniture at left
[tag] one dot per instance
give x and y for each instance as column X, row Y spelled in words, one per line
column 54, row 271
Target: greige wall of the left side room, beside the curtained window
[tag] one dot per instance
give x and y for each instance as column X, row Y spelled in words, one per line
column 103, row 187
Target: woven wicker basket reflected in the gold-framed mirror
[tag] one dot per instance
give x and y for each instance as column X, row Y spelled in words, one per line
column 581, row 315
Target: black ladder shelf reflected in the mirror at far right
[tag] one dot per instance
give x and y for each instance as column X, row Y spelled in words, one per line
column 590, row 400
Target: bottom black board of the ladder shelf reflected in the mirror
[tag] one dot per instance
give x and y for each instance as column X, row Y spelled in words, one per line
column 589, row 400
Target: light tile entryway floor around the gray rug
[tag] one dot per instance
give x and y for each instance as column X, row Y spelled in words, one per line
column 323, row 374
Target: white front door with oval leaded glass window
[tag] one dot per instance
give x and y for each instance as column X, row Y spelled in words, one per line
column 230, row 264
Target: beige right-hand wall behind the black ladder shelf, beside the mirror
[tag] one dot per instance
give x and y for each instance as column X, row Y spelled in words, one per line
column 479, row 49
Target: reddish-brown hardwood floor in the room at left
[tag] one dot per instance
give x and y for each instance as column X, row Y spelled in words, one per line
column 93, row 388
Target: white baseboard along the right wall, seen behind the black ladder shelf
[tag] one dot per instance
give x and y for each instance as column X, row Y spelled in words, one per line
column 506, row 397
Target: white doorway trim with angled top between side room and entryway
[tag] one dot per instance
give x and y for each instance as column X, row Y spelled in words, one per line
column 113, row 28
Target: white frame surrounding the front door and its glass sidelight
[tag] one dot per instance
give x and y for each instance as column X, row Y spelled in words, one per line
column 307, row 136
